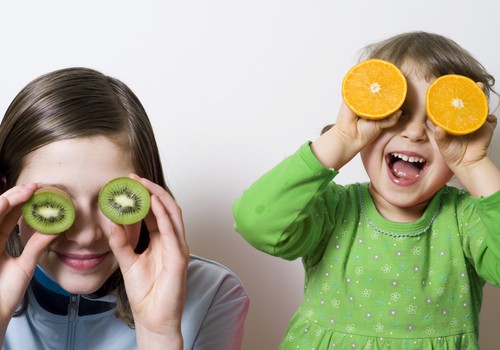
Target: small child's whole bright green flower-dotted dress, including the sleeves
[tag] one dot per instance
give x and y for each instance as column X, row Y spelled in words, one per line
column 371, row 283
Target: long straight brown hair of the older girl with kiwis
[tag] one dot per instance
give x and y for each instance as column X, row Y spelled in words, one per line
column 71, row 103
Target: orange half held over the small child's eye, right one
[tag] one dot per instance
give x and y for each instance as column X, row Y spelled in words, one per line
column 457, row 104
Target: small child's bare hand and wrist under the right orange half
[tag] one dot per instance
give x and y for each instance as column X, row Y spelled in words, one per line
column 467, row 158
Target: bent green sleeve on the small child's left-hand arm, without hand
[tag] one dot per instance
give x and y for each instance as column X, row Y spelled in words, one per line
column 285, row 213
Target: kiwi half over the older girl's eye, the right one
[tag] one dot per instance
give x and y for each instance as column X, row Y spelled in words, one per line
column 124, row 200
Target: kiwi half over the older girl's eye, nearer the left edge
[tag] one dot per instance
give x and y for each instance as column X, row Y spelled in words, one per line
column 49, row 211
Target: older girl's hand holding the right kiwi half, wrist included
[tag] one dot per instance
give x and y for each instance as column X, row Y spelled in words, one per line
column 155, row 280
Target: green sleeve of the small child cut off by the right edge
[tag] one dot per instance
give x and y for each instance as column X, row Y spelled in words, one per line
column 486, row 254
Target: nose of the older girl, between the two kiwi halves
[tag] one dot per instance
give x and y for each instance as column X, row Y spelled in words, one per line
column 86, row 229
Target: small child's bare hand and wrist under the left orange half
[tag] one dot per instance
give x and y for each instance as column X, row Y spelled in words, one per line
column 347, row 137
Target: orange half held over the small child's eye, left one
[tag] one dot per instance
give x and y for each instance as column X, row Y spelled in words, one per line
column 374, row 89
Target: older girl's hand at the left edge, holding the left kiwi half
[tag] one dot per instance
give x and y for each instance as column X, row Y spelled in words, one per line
column 16, row 273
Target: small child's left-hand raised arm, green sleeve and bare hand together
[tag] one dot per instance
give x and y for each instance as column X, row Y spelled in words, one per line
column 288, row 210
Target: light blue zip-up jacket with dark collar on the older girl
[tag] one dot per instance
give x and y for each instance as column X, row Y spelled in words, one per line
column 214, row 314
